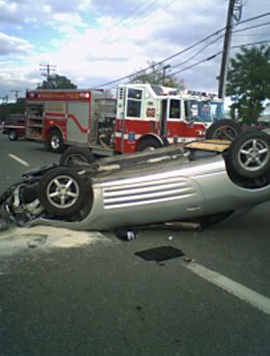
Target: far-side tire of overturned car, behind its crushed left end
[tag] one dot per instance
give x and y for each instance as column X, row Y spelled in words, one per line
column 74, row 156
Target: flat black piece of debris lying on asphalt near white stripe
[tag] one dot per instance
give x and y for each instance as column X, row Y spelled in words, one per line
column 159, row 254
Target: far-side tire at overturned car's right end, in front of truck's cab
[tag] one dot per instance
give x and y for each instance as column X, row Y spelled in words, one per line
column 224, row 129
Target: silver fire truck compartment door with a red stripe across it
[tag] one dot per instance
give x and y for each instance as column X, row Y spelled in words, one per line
column 77, row 122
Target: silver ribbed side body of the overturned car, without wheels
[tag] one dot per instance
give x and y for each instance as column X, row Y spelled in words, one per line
column 151, row 193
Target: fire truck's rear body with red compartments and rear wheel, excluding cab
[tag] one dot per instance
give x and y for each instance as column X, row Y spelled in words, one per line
column 68, row 117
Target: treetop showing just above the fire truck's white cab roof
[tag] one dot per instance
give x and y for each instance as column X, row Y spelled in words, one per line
column 158, row 76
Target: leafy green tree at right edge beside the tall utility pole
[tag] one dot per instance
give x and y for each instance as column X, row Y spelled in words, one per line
column 248, row 82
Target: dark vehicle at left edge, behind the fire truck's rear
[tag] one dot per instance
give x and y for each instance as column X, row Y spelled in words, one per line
column 14, row 126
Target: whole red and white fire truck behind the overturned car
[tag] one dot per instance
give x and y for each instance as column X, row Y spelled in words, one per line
column 139, row 116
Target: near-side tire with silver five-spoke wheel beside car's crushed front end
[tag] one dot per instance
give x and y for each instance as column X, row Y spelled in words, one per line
column 62, row 192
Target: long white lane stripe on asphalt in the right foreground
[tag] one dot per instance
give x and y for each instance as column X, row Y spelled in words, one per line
column 248, row 295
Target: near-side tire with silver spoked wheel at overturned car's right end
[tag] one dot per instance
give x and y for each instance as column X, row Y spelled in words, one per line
column 249, row 154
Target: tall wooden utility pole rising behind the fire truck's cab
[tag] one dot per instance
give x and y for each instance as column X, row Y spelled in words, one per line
column 234, row 12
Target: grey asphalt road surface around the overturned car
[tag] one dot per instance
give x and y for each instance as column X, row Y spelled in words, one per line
column 98, row 297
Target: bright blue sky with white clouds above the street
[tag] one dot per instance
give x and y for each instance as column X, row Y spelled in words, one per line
column 94, row 42
